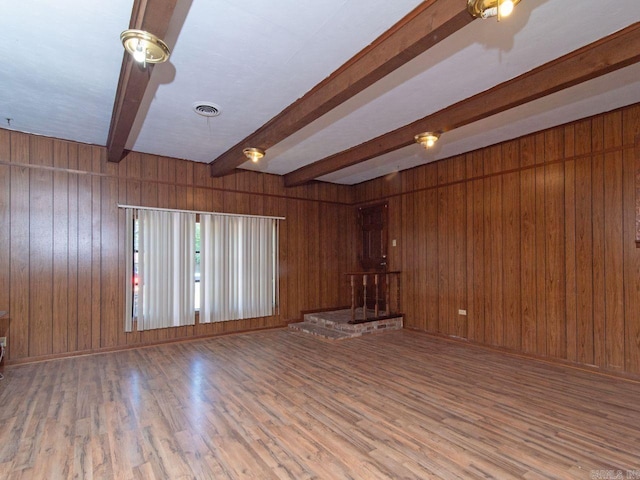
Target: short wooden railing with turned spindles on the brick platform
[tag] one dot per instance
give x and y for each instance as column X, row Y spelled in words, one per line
column 373, row 284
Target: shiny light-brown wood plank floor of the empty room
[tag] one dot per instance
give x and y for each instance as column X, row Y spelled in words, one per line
column 280, row 404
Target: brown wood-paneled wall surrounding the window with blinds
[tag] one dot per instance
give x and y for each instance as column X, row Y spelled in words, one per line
column 62, row 241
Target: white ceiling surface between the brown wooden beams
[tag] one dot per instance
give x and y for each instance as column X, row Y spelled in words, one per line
column 60, row 61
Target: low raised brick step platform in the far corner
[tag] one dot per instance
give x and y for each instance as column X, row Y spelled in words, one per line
column 335, row 325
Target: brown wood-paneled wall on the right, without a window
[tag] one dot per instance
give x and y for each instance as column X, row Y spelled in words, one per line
column 534, row 238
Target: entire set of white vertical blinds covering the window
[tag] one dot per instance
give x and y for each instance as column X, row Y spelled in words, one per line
column 238, row 267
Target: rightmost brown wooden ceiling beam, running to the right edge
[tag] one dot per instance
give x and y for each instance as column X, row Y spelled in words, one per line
column 611, row 53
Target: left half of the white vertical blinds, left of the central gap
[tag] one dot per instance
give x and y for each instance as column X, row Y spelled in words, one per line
column 166, row 268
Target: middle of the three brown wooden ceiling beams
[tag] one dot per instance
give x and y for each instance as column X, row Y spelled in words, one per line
column 428, row 24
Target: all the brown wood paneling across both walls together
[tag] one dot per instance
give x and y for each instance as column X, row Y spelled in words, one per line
column 535, row 238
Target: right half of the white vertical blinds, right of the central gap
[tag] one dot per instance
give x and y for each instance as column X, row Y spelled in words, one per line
column 238, row 261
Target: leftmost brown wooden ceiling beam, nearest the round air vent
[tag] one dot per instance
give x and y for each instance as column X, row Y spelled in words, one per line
column 152, row 16
